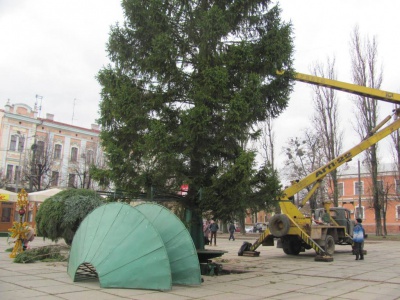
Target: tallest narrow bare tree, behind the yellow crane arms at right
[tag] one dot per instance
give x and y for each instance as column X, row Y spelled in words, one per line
column 365, row 72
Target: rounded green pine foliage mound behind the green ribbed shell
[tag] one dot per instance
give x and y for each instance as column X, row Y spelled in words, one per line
column 60, row 215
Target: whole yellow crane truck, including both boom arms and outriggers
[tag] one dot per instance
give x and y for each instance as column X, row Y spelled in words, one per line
column 295, row 231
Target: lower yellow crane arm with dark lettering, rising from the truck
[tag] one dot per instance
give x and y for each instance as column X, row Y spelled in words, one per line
column 347, row 156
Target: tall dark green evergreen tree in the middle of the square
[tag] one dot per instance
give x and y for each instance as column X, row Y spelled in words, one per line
column 187, row 82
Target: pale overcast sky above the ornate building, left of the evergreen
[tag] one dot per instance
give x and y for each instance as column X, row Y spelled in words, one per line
column 54, row 49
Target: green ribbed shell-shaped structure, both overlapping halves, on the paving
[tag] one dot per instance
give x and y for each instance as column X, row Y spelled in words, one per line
column 123, row 248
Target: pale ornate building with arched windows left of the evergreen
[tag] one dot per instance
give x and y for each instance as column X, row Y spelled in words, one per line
column 41, row 151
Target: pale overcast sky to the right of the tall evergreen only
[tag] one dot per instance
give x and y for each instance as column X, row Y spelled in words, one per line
column 322, row 29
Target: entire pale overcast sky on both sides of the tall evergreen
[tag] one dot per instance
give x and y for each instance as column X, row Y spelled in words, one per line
column 54, row 49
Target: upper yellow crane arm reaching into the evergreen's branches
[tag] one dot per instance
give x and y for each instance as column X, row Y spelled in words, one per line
column 349, row 87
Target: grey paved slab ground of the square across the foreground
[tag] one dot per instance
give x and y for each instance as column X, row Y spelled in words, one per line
column 272, row 275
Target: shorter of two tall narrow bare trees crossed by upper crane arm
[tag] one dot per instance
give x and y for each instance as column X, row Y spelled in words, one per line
column 326, row 121
